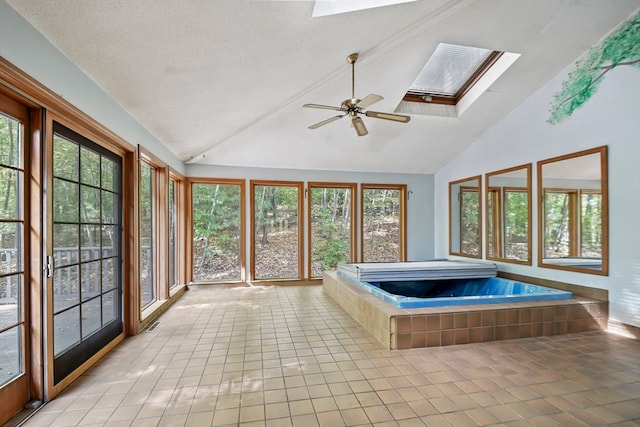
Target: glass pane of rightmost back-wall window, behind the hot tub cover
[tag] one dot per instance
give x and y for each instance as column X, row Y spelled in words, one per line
column 381, row 225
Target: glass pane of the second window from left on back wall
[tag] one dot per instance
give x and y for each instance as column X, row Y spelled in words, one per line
column 276, row 232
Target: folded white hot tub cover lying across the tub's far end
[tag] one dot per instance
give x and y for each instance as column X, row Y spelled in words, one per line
column 417, row 270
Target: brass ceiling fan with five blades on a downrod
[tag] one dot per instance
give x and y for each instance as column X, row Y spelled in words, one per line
column 353, row 107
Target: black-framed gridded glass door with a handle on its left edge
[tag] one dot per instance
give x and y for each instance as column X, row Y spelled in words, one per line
column 85, row 281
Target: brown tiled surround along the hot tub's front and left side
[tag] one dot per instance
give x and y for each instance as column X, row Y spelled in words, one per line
column 439, row 326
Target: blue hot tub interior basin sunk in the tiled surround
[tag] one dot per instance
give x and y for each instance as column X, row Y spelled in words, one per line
column 435, row 293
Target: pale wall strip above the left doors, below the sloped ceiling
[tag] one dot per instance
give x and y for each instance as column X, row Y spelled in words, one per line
column 32, row 53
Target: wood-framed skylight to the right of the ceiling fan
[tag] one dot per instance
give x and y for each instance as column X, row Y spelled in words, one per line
column 450, row 72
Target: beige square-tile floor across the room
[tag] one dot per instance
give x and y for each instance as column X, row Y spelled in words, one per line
column 282, row 356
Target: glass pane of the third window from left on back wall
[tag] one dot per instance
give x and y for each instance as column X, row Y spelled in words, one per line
column 331, row 219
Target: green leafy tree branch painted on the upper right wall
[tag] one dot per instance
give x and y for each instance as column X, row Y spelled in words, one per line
column 622, row 47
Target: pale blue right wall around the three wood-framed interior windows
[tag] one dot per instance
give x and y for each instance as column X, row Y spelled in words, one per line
column 611, row 117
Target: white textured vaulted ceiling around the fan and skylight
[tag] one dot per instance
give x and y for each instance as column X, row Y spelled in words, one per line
column 223, row 81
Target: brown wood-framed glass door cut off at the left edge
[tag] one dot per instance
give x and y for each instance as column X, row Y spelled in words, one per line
column 14, row 298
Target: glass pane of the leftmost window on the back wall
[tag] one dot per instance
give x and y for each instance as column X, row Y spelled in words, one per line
column 216, row 232
